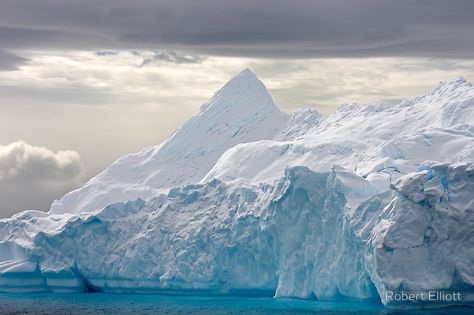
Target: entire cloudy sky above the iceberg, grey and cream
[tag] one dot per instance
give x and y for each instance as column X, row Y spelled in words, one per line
column 83, row 82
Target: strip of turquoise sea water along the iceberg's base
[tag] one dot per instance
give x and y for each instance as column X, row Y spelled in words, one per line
column 101, row 303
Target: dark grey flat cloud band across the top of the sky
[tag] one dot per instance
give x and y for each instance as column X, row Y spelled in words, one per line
column 269, row 28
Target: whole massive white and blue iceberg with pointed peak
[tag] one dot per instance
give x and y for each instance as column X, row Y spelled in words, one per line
column 245, row 199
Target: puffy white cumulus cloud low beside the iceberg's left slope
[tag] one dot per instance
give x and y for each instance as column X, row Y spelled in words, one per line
column 32, row 176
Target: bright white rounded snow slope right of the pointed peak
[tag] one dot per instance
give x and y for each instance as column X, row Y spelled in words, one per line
column 376, row 141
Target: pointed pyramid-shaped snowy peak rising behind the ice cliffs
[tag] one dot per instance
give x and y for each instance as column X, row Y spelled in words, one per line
column 242, row 111
